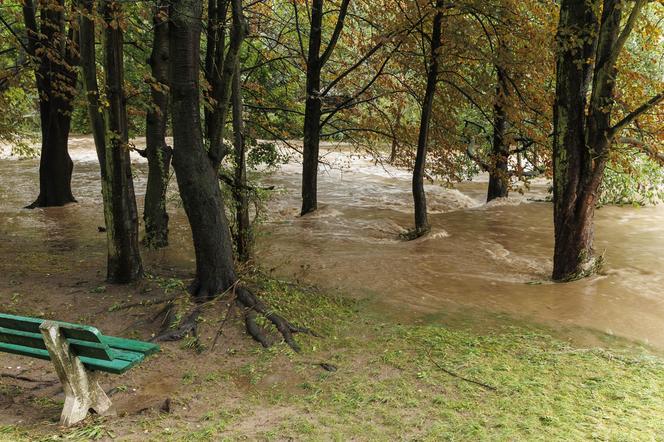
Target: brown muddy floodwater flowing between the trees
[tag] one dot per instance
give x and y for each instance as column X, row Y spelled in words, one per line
column 479, row 257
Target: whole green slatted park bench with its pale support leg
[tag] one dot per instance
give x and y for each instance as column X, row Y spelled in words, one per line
column 78, row 353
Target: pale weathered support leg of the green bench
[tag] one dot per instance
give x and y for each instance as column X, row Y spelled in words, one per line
column 82, row 390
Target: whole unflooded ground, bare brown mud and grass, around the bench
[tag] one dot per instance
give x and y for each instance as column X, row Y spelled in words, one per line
column 369, row 376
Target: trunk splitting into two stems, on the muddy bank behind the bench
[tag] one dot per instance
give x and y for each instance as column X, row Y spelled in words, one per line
column 109, row 128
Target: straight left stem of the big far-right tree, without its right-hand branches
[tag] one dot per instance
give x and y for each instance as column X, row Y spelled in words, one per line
column 574, row 202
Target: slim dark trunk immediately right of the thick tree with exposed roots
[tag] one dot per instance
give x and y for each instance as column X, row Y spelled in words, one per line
column 243, row 227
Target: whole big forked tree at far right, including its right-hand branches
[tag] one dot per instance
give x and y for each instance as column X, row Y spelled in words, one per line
column 589, row 47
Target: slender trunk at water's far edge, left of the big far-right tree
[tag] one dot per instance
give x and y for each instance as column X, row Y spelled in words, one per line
column 498, row 173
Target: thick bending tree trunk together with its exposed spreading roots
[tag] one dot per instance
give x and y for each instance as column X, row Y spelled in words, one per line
column 197, row 178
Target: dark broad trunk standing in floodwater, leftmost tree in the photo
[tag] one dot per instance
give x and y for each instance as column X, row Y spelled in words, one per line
column 56, row 86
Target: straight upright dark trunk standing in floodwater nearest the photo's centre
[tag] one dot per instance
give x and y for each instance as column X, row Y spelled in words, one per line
column 312, row 113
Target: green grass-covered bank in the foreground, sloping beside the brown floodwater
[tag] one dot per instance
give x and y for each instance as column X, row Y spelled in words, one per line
column 380, row 380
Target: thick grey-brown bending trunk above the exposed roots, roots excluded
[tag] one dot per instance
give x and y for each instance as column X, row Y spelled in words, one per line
column 196, row 175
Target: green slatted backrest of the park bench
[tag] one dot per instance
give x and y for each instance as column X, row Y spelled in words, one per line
column 83, row 340
